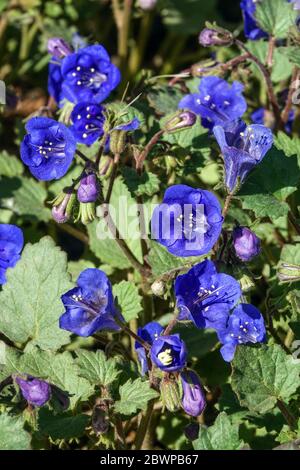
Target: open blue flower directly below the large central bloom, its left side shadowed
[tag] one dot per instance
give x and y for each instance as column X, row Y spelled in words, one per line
column 205, row 296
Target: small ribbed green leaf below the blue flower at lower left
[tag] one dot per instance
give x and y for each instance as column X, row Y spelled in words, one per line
column 96, row 367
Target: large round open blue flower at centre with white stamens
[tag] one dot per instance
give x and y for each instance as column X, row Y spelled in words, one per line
column 188, row 222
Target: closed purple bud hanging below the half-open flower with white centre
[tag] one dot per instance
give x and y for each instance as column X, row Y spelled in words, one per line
column 193, row 401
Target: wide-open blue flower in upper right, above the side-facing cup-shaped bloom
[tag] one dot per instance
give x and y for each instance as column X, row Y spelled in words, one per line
column 216, row 102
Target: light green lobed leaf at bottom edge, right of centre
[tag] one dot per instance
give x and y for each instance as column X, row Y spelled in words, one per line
column 223, row 435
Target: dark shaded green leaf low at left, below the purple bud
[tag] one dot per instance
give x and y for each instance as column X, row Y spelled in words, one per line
column 61, row 426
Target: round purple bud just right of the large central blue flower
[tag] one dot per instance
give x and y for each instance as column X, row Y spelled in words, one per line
column 246, row 244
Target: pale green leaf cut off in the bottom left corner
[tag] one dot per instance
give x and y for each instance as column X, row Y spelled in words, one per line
column 12, row 433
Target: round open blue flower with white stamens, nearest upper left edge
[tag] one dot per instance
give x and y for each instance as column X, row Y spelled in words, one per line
column 48, row 148
